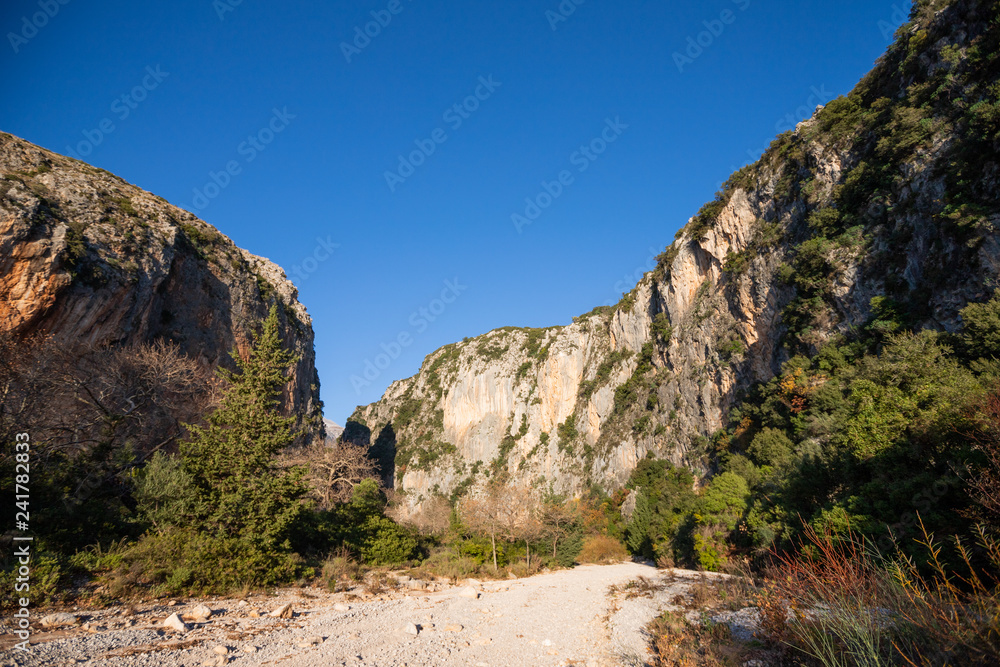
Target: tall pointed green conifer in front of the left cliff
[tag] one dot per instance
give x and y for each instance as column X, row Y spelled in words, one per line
column 241, row 492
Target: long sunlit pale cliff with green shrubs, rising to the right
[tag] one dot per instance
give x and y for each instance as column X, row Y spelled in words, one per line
column 881, row 208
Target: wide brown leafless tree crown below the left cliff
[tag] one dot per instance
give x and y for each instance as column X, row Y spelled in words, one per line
column 75, row 398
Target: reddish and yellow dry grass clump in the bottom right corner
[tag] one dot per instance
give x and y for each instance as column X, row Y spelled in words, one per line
column 841, row 605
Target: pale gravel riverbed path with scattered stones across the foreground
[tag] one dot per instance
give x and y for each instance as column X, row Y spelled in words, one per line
column 560, row 618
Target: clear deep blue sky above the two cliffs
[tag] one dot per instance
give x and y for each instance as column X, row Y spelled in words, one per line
column 323, row 174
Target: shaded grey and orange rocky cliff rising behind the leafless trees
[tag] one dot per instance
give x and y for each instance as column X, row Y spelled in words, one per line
column 88, row 258
